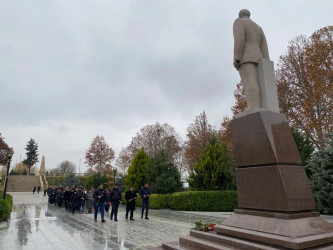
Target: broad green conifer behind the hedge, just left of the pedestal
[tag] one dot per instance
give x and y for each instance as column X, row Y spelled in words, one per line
column 214, row 169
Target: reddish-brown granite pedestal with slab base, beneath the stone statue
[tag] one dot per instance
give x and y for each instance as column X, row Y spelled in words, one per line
column 274, row 195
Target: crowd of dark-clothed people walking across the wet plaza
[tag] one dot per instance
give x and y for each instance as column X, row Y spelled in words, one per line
column 84, row 200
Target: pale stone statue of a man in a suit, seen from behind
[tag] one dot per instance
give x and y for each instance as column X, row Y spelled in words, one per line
column 249, row 46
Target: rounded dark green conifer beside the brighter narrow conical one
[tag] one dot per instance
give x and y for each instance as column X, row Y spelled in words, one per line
column 161, row 174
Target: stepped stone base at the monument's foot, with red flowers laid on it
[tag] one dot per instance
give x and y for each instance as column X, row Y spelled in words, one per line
column 262, row 230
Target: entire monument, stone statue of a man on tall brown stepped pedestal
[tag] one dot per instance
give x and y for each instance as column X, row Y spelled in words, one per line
column 274, row 195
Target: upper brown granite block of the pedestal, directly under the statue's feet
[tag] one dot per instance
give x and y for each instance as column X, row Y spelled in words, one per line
column 263, row 138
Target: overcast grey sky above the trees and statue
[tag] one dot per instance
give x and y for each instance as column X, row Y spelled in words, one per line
column 72, row 69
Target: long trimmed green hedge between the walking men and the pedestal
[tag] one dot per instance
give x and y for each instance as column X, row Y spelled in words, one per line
column 222, row 201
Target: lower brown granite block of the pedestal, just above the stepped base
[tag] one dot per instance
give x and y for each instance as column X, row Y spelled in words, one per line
column 278, row 188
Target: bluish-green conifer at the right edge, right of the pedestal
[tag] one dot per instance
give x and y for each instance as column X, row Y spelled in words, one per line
column 321, row 181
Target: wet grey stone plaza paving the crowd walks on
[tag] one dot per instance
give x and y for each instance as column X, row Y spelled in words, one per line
column 34, row 225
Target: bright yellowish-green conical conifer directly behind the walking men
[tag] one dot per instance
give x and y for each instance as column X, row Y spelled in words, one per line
column 136, row 175
